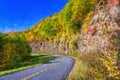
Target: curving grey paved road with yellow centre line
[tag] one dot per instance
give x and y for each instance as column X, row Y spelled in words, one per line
column 57, row 69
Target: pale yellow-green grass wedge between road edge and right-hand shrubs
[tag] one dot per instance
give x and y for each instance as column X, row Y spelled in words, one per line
column 79, row 71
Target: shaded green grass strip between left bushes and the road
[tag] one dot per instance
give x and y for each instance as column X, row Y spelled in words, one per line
column 33, row 60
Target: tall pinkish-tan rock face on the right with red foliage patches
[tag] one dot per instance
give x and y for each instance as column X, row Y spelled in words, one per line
column 103, row 28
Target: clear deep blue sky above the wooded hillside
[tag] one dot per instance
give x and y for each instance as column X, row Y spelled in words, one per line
column 17, row 15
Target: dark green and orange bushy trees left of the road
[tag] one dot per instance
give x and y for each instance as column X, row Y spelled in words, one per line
column 13, row 48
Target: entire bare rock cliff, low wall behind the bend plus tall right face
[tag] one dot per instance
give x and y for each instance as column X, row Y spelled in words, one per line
column 102, row 30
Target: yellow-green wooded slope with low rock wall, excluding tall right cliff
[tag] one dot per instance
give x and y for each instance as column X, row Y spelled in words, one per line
column 61, row 29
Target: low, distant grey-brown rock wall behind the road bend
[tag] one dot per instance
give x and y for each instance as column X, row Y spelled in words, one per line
column 51, row 47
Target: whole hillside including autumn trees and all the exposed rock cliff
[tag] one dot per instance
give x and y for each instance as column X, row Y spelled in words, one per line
column 72, row 31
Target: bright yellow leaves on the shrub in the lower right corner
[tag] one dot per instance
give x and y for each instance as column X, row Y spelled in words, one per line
column 109, row 62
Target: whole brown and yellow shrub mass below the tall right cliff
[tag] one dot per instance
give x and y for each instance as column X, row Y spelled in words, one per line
column 102, row 66
